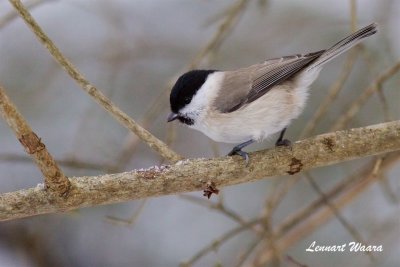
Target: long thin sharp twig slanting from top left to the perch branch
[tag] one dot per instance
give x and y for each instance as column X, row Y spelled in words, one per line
column 97, row 95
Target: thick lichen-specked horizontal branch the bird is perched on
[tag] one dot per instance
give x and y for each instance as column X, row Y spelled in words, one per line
column 191, row 175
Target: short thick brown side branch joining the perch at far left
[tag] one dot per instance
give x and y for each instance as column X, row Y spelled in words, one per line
column 55, row 180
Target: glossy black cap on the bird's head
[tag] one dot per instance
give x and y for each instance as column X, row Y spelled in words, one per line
column 186, row 87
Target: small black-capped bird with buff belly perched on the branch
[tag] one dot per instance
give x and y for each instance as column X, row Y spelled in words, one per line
column 252, row 103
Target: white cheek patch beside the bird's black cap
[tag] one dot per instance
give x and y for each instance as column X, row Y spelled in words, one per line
column 204, row 96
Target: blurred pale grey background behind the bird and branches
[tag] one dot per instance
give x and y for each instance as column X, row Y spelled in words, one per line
column 130, row 50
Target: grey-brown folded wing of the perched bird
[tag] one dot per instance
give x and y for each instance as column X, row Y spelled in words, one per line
column 262, row 77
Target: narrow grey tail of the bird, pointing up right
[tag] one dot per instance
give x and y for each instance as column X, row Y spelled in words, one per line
column 344, row 45
